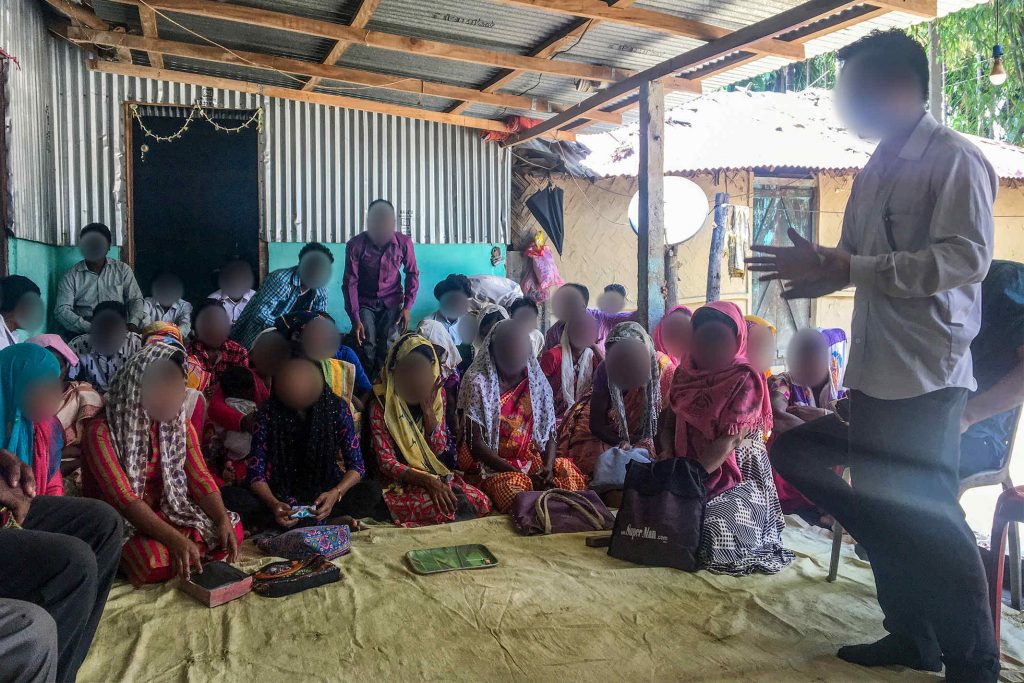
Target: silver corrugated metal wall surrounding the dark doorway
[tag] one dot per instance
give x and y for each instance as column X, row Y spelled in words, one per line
column 322, row 165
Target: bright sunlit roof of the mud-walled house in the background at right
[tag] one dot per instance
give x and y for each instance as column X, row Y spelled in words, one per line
column 743, row 131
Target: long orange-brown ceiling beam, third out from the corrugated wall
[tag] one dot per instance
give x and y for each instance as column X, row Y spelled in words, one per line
column 357, row 34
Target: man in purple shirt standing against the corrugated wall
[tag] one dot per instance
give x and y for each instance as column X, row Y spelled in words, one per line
column 376, row 300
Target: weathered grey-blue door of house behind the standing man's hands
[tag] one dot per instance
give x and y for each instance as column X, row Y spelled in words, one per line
column 779, row 205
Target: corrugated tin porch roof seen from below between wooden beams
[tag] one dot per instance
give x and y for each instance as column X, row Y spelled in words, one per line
column 492, row 25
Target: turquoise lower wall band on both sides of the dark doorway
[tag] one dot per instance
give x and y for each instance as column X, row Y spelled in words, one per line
column 46, row 265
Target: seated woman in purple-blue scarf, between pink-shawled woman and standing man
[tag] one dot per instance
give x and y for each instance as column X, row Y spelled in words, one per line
column 818, row 363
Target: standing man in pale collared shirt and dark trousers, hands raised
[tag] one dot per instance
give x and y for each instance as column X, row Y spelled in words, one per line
column 917, row 243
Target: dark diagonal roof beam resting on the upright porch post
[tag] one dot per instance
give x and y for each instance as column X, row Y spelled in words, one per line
column 738, row 40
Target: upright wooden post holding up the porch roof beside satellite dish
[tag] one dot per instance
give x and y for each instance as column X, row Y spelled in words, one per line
column 651, row 245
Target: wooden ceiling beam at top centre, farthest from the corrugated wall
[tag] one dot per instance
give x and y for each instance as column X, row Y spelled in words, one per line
column 660, row 22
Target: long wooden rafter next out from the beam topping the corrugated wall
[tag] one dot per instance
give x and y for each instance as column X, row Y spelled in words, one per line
column 310, row 69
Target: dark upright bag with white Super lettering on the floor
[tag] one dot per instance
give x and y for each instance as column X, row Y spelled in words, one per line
column 659, row 524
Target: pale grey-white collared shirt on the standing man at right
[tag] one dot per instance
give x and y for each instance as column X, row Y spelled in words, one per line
column 920, row 227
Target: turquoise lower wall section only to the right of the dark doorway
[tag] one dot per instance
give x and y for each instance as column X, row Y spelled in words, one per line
column 436, row 263
